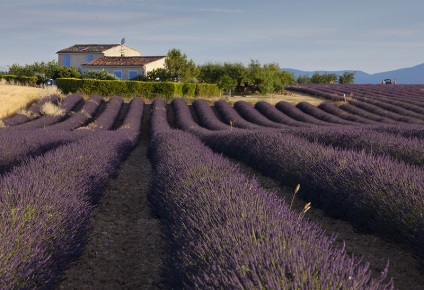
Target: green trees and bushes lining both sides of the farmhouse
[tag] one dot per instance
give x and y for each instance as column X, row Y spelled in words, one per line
column 230, row 77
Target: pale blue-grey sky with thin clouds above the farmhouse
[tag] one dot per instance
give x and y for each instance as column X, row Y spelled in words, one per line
column 311, row 35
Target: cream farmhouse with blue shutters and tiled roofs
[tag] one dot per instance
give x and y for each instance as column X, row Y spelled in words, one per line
column 122, row 61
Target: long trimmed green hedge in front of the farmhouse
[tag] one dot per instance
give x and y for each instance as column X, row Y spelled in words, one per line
column 149, row 90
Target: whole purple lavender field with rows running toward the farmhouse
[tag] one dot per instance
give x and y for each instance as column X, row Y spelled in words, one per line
column 358, row 157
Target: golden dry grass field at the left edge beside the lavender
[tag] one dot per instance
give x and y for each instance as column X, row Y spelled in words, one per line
column 13, row 98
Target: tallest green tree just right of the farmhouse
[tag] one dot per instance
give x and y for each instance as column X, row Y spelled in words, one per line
column 179, row 68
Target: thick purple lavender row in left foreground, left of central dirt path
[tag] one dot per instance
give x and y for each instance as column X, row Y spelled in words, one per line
column 44, row 218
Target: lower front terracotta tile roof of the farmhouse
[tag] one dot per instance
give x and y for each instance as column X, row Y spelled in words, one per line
column 123, row 61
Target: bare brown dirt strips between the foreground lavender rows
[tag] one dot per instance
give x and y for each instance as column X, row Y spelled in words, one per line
column 126, row 249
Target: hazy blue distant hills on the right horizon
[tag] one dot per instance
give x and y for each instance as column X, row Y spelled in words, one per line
column 410, row 75
